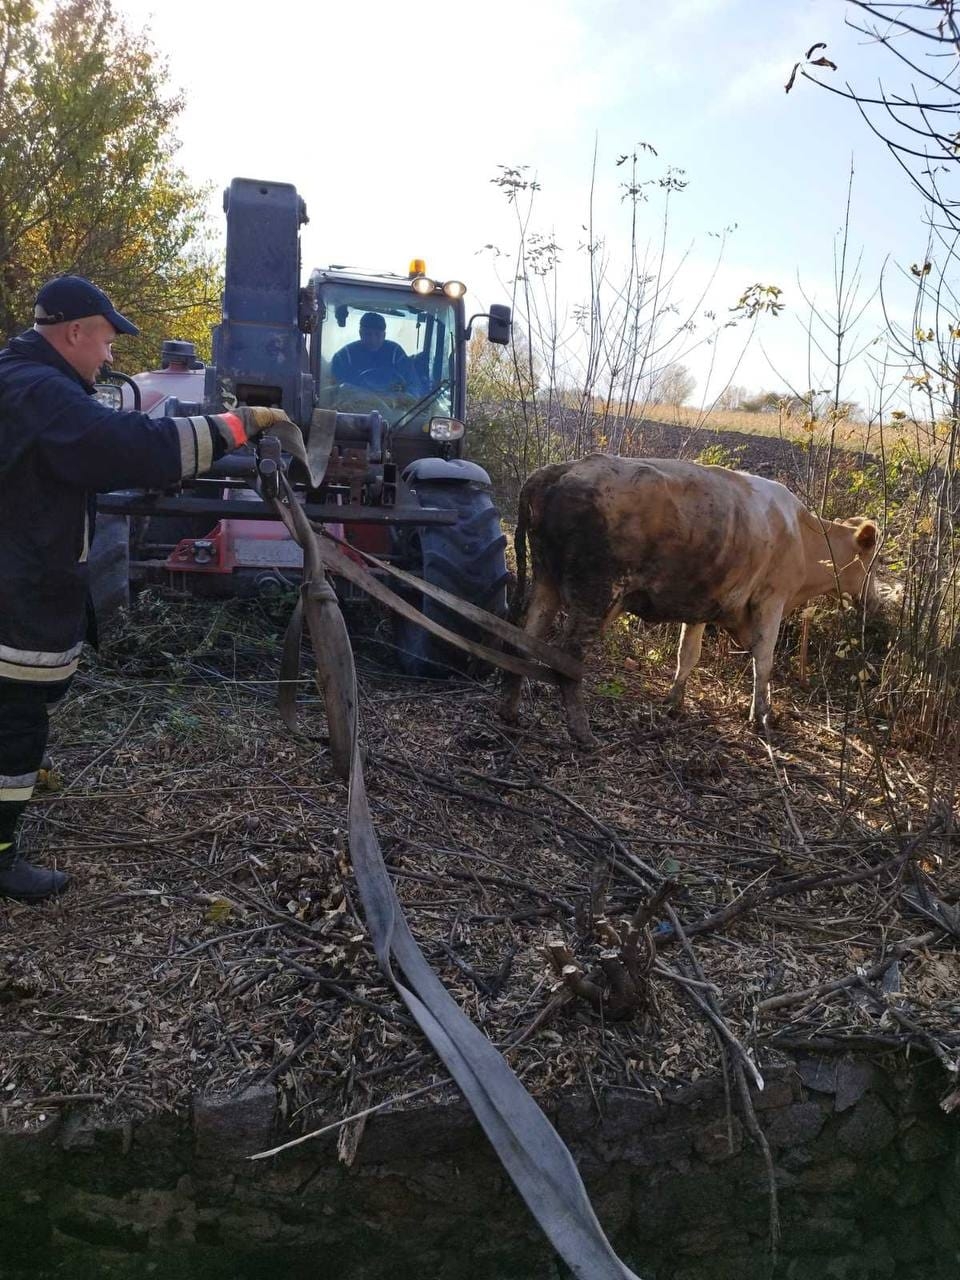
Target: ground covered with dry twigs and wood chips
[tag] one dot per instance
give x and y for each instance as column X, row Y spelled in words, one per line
column 212, row 938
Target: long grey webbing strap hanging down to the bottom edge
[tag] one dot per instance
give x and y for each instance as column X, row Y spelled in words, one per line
column 525, row 1141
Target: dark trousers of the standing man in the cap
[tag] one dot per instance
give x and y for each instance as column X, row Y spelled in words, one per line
column 25, row 723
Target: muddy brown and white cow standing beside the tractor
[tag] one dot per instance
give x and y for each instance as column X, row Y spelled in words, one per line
column 675, row 542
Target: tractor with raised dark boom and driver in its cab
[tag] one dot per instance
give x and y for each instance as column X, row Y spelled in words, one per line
column 396, row 484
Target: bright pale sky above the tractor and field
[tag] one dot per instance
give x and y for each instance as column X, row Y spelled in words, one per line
column 392, row 118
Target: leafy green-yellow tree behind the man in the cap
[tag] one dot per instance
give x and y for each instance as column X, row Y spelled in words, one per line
column 88, row 184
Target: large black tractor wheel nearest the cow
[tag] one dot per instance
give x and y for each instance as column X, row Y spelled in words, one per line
column 465, row 559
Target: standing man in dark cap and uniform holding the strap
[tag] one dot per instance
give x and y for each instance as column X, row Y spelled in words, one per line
column 60, row 447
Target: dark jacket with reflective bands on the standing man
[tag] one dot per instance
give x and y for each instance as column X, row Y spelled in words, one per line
column 60, row 447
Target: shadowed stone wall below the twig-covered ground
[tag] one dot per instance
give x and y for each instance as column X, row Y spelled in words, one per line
column 867, row 1165
